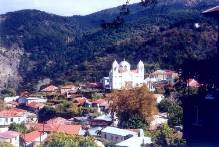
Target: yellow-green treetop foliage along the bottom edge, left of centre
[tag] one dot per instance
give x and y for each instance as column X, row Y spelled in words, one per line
column 64, row 140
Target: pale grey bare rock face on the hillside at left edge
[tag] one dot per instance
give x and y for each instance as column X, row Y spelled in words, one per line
column 9, row 67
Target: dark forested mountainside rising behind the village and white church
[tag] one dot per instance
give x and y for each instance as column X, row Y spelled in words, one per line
column 36, row 45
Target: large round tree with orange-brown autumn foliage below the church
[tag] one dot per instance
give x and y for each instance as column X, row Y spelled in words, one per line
column 128, row 104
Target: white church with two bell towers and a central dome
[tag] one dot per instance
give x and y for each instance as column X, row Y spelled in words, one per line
column 121, row 76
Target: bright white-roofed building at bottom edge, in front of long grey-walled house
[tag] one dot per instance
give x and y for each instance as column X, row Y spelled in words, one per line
column 135, row 142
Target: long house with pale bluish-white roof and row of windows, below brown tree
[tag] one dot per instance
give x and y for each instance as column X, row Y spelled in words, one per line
column 117, row 135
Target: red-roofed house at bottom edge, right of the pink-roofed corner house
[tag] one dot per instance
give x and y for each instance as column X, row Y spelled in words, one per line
column 34, row 138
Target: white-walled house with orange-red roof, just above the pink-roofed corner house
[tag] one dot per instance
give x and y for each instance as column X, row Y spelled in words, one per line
column 12, row 115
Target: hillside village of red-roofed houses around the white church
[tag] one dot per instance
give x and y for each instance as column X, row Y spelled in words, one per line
column 87, row 109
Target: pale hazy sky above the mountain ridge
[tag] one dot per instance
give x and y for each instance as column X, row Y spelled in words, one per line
column 61, row 7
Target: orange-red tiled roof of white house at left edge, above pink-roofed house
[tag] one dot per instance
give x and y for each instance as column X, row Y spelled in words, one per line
column 13, row 112
